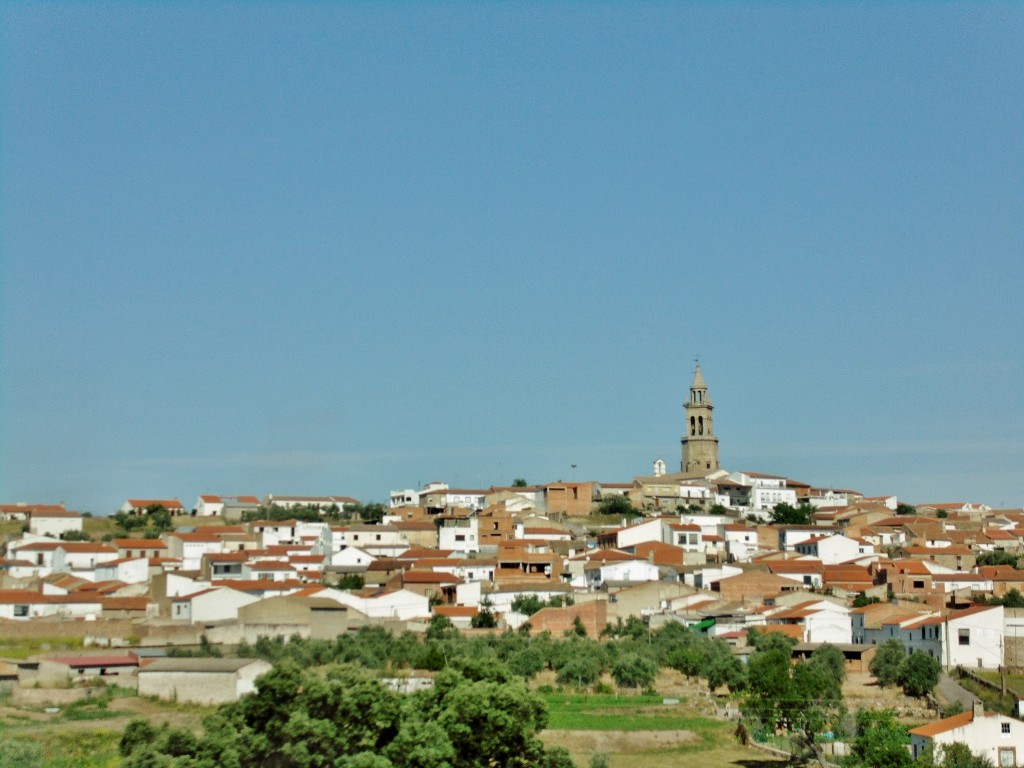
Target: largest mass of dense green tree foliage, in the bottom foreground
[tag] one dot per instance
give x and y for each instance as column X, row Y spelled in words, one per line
column 304, row 719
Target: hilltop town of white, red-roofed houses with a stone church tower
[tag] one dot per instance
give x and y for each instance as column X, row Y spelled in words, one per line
column 724, row 553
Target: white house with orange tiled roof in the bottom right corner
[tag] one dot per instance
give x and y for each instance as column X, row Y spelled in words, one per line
column 998, row 738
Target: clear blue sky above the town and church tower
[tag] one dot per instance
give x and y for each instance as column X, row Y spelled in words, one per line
column 347, row 248
